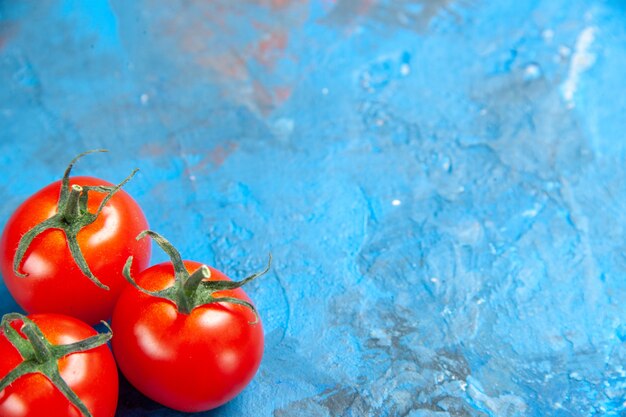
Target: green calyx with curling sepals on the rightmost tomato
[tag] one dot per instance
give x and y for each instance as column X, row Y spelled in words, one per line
column 193, row 290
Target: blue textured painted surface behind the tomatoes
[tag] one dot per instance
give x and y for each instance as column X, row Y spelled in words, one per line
column 441, row 184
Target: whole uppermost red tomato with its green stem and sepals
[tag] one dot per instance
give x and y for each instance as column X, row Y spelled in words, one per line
column 80, row 276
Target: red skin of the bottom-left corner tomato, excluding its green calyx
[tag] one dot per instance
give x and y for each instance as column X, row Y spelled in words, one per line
column 92, row 375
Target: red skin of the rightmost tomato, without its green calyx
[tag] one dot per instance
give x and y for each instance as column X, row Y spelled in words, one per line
column 190, row 363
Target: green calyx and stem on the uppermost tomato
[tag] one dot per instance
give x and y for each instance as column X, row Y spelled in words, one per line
column 71, row 217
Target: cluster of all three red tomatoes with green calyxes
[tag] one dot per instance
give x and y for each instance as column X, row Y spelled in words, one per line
column 76, row 253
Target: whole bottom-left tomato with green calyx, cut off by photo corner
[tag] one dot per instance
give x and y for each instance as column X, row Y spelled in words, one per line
column 84, row 362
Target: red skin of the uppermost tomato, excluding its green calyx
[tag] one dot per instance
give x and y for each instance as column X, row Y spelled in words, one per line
column 54, row 283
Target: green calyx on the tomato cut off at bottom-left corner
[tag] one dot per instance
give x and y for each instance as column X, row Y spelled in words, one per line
column 40, row 356
